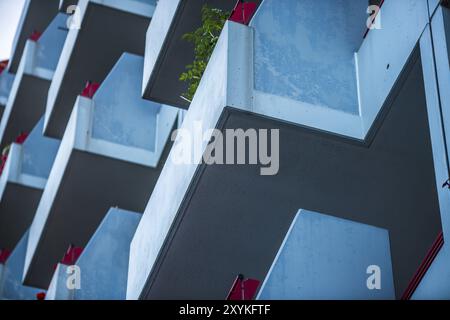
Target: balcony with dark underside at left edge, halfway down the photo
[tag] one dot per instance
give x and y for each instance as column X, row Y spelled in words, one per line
column 22, row 182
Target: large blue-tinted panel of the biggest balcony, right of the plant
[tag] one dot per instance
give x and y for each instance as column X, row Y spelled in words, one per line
column 304, row 50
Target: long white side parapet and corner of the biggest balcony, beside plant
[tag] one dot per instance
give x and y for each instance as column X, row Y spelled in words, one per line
column 224, row 83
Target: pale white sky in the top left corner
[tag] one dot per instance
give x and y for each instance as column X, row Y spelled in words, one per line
column 10, row 11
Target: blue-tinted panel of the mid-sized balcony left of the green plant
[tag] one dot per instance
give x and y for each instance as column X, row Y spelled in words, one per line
column 121, row 115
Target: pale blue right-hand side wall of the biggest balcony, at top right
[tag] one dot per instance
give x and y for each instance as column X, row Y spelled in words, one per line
column 379, row 65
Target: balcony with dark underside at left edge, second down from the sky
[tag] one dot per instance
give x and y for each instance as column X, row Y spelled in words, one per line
column 28, row 95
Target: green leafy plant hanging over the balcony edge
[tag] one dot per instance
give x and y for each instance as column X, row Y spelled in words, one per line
column 204, row 40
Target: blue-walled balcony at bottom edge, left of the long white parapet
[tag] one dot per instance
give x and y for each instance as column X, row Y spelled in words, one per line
column 103, row 264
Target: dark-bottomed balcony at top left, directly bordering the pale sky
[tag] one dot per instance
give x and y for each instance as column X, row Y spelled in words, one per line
column 36, row 16
